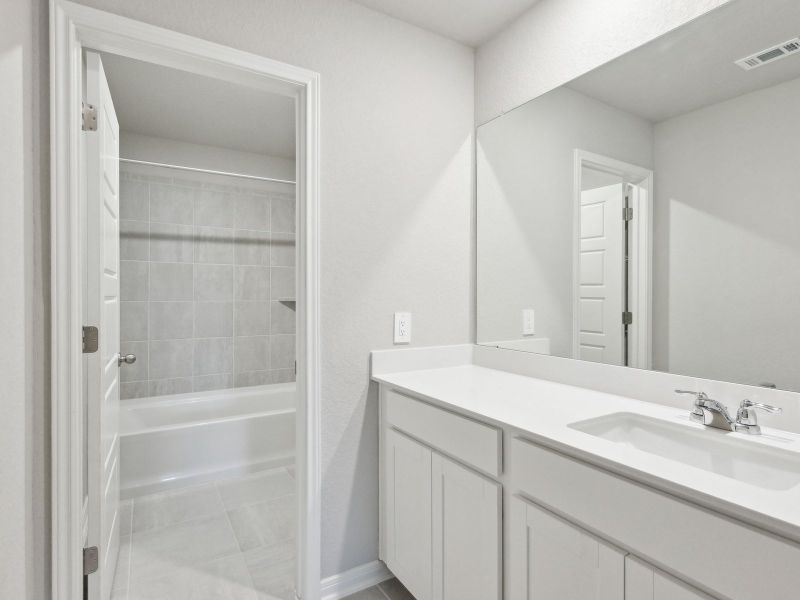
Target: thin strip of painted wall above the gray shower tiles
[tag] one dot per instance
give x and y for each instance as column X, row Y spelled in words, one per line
column 174, row 152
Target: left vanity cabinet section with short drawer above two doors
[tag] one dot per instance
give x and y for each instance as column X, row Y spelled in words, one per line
column 441, row 520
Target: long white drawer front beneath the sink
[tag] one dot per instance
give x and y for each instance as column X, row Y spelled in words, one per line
column 695, row 544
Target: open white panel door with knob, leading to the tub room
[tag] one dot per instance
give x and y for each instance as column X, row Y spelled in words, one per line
column 102, row 300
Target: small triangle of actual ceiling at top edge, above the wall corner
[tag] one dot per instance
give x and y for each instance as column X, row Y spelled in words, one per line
column 468, row 21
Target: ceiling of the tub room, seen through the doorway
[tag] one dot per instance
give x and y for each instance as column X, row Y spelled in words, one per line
column 168, row 103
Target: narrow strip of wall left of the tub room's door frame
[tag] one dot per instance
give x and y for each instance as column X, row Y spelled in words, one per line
column 23, row 163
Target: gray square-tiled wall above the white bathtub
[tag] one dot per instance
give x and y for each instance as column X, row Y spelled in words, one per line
column 207, row 270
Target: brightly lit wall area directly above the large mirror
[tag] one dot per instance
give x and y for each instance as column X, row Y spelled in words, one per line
column 558, row 40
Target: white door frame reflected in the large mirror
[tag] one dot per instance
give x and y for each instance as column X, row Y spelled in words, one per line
column 640, row 345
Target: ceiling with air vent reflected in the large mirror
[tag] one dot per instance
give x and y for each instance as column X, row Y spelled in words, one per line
column 694, row 66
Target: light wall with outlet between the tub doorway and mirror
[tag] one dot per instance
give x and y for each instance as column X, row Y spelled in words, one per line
column 397, row 123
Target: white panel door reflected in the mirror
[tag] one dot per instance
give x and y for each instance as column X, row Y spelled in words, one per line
column 601, row 284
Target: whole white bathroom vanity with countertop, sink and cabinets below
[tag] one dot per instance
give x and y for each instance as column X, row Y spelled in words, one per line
column 497, row 484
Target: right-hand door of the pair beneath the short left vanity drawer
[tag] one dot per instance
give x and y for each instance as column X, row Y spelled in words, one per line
column 466, row 533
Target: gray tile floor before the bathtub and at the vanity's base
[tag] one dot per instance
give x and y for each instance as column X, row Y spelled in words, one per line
column 228, row 540
